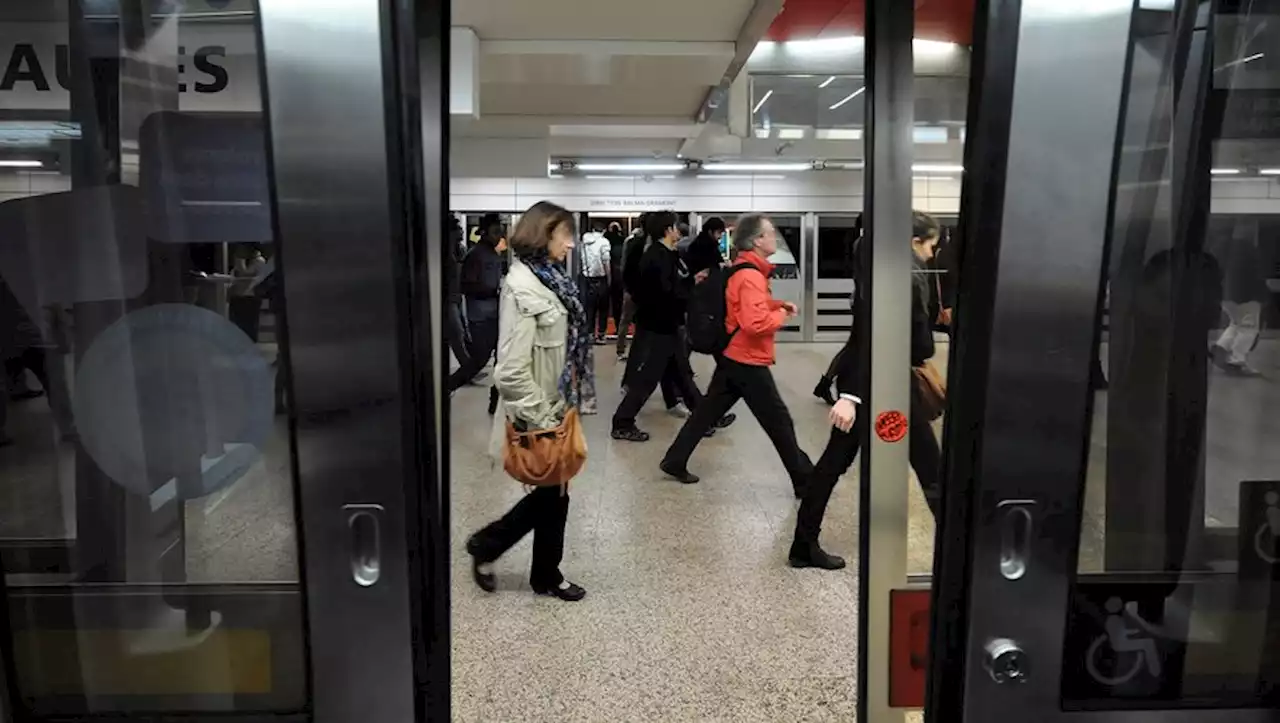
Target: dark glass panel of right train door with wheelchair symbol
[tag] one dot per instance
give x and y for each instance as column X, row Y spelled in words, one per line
column 1174, row 606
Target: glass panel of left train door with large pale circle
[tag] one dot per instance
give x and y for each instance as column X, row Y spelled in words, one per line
column 148, row 529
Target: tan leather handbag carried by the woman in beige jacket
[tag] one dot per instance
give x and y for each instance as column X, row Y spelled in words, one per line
column 546, row 457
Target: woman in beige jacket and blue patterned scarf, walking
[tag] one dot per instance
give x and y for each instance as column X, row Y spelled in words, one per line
column 543, row 349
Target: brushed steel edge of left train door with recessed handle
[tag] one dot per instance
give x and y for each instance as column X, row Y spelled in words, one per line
column 351, row 222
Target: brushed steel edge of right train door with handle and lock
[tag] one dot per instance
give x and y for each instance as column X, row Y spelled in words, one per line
column 1014, row 393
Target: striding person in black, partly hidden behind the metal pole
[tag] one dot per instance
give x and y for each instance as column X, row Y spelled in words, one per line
column 848, row 425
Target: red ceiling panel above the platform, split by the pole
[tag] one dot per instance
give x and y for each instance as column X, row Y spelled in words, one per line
column 935, row 20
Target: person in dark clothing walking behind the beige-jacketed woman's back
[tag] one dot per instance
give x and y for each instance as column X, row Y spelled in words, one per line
column 482, row 283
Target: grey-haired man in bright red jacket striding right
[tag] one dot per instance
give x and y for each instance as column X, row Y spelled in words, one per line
column 743, row 373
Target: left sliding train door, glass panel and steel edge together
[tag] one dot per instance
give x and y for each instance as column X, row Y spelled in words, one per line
column 208, row 516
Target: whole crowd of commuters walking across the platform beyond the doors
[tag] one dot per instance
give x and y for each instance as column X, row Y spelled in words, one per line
column 541, row 322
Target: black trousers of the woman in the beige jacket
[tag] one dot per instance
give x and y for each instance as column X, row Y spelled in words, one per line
column 542, row 512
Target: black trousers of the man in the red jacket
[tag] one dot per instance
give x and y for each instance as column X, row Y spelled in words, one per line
column 756, row 386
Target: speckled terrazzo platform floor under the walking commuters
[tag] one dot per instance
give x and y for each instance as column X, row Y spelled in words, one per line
column 692, row 612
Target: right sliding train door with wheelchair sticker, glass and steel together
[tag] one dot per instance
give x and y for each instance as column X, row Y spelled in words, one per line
column 1112, row 541
